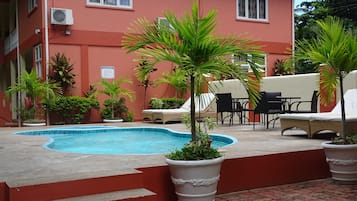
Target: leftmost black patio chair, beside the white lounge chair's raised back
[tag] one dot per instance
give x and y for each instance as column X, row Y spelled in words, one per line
column 225, row 104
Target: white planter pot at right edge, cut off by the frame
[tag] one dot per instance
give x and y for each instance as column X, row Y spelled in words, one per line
column 342, row 160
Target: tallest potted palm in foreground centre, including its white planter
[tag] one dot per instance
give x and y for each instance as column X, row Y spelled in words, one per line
column 190, row 44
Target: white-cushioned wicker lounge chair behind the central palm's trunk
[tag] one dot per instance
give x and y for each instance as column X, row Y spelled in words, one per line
column 203, row 105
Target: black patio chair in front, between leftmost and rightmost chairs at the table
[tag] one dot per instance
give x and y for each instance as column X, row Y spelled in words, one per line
column 269, row 104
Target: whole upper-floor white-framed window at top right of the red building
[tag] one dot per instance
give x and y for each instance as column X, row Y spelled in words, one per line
column 252, row 9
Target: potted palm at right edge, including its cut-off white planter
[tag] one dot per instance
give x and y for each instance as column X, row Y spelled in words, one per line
column 336, row 49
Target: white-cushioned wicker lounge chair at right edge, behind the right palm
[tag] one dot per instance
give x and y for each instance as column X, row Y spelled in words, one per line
column 313, row 123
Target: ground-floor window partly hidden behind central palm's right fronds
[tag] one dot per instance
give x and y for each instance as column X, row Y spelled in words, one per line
column 259, row 60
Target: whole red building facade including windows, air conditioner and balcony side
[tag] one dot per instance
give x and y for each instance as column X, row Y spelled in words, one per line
column 89, row 33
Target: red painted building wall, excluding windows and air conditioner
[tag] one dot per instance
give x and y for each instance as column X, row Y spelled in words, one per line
column 95, row 38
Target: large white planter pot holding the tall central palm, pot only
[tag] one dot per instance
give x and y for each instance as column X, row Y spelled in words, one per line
column 195, row 180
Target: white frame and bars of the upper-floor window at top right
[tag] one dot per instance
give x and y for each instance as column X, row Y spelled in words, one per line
column 257, row 10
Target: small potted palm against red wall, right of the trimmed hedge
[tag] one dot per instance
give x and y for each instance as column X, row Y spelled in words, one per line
column 114, row 106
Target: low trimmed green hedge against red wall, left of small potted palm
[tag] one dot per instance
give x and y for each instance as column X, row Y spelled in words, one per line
column 71, row 109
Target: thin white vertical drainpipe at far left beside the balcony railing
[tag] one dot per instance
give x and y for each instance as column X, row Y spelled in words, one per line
column 18, row 63
